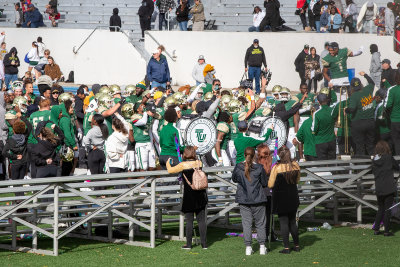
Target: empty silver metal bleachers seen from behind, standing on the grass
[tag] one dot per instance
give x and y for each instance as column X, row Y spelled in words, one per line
column 142, row 198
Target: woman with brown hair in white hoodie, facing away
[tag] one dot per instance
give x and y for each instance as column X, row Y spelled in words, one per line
column 117, row 145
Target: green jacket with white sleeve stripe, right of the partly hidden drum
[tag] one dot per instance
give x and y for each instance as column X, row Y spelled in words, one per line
column 323, row 125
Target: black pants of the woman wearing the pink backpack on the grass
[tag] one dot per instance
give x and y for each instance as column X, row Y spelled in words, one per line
column 201, row 221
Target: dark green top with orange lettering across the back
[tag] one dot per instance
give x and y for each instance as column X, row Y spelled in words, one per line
column 361, row 106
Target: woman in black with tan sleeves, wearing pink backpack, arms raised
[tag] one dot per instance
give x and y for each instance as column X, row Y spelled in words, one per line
column 193, row 201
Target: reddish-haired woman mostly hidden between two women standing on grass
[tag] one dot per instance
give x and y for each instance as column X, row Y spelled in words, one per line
column 264, row 157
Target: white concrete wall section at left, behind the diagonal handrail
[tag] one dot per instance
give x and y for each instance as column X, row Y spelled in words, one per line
column 105, row 58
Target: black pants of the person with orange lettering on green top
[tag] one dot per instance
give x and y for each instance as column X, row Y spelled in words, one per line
column 363, row 133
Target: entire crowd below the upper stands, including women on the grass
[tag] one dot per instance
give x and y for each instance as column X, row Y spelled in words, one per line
column 109, row 129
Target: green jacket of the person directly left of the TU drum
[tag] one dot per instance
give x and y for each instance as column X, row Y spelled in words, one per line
column 167, row 141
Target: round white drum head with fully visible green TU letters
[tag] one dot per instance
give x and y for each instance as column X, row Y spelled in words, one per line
column 201, row 132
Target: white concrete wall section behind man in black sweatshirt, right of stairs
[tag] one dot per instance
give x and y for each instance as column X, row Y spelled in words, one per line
column 226, row 51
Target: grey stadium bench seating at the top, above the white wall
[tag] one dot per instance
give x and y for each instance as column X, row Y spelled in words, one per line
column 229, row 15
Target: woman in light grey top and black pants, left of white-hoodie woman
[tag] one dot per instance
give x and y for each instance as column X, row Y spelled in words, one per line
column 94, row 141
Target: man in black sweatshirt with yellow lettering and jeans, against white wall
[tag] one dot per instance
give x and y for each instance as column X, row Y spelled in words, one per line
column 255, row 59
